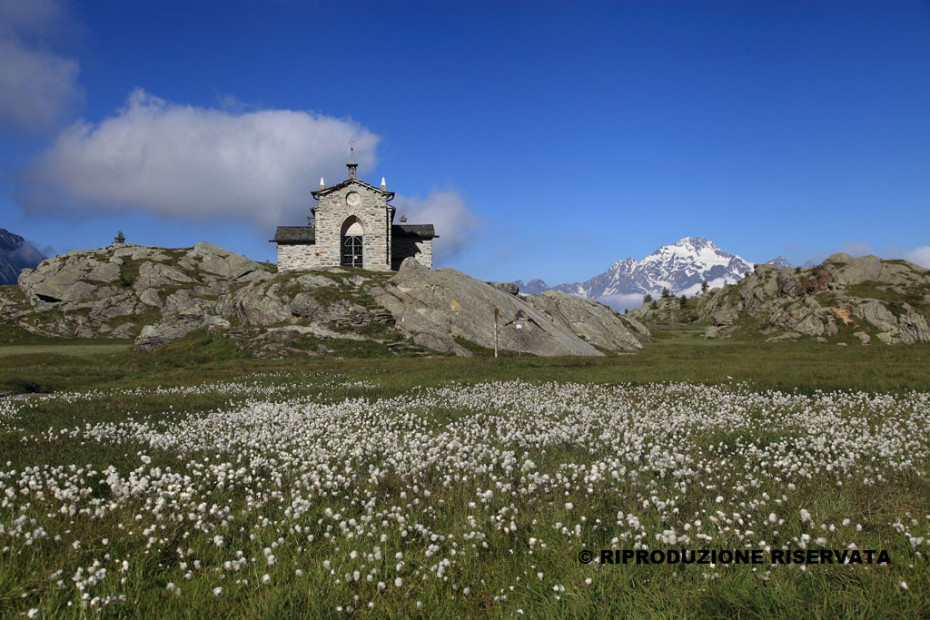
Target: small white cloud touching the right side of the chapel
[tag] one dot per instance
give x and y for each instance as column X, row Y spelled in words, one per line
column 454, row 222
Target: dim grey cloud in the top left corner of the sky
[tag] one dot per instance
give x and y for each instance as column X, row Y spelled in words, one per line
column 38, row 86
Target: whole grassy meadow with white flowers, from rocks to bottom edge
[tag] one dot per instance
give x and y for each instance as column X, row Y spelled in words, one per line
column 196, row 481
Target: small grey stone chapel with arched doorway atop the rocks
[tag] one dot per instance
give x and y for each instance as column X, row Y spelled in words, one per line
column 353, row 226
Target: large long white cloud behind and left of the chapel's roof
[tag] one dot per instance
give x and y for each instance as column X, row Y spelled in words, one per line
column 188, row 162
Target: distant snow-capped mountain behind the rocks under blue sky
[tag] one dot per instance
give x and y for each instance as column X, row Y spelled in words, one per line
column 681, row 267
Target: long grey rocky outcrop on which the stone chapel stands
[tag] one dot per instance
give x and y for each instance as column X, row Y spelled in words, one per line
column 159, row 295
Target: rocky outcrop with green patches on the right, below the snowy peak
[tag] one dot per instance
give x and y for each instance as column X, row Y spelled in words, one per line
column 850, row 299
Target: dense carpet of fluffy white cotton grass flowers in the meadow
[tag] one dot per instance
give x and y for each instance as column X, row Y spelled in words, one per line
column 335, row 457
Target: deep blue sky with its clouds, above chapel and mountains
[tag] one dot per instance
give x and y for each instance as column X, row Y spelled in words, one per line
column 544, row 139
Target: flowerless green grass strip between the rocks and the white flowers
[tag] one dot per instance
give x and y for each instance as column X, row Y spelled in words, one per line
column 675, row 355
